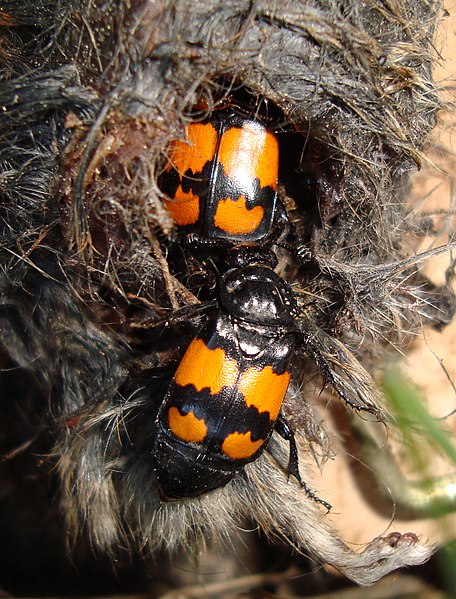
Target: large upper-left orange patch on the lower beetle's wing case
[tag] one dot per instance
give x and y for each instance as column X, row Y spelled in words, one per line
column 206, row 368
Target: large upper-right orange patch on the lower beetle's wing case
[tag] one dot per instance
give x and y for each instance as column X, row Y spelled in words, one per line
column 264, row 389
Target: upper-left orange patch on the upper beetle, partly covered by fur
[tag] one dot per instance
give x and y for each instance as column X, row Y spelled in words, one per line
column 194, row 153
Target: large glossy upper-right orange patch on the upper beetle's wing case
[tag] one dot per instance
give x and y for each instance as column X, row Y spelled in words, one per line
column 249, row 153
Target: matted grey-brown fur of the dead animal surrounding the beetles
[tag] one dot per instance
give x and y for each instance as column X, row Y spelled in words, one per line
column 92, row 94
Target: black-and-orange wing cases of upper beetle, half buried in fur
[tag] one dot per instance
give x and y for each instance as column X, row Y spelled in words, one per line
column 221, row 183
